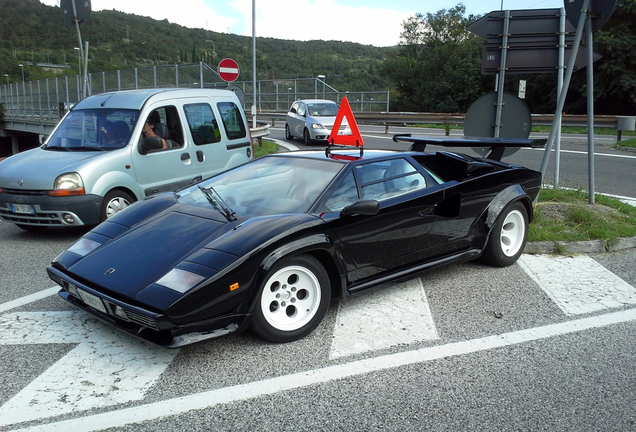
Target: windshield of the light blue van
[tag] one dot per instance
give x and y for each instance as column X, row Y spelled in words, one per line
column 94, row 130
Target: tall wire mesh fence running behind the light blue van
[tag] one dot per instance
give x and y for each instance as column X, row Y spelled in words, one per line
column 48, row 99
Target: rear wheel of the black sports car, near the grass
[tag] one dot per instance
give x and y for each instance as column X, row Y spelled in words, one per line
column 508, row 236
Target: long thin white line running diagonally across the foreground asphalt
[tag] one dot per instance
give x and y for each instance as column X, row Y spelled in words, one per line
column 209, row 399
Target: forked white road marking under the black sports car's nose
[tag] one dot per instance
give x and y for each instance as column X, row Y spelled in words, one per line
column 106, row 368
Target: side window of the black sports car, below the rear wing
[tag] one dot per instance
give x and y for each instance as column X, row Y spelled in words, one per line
column 387, row 179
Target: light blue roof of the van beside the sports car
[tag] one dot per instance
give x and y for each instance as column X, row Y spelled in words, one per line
column 135, row 99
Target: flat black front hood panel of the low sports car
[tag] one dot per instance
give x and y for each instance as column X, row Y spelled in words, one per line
column 143, row 254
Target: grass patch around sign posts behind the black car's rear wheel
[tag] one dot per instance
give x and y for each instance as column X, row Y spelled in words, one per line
column 566, row 215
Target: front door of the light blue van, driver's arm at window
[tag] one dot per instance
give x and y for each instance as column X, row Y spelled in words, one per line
column 164, row 169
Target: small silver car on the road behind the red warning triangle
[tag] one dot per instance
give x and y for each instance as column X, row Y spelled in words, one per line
column 312, row 120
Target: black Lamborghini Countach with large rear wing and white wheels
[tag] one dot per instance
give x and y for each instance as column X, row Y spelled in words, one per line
column 266, row 245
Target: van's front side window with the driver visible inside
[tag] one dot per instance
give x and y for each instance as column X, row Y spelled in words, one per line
column 163, row 123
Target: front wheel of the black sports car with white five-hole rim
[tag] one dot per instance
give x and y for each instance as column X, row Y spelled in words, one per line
column 293, row 300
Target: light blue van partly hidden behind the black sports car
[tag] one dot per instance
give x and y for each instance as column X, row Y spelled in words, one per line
column 115, row 148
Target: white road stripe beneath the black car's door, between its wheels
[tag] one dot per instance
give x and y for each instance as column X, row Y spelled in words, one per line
column 386, row 318
